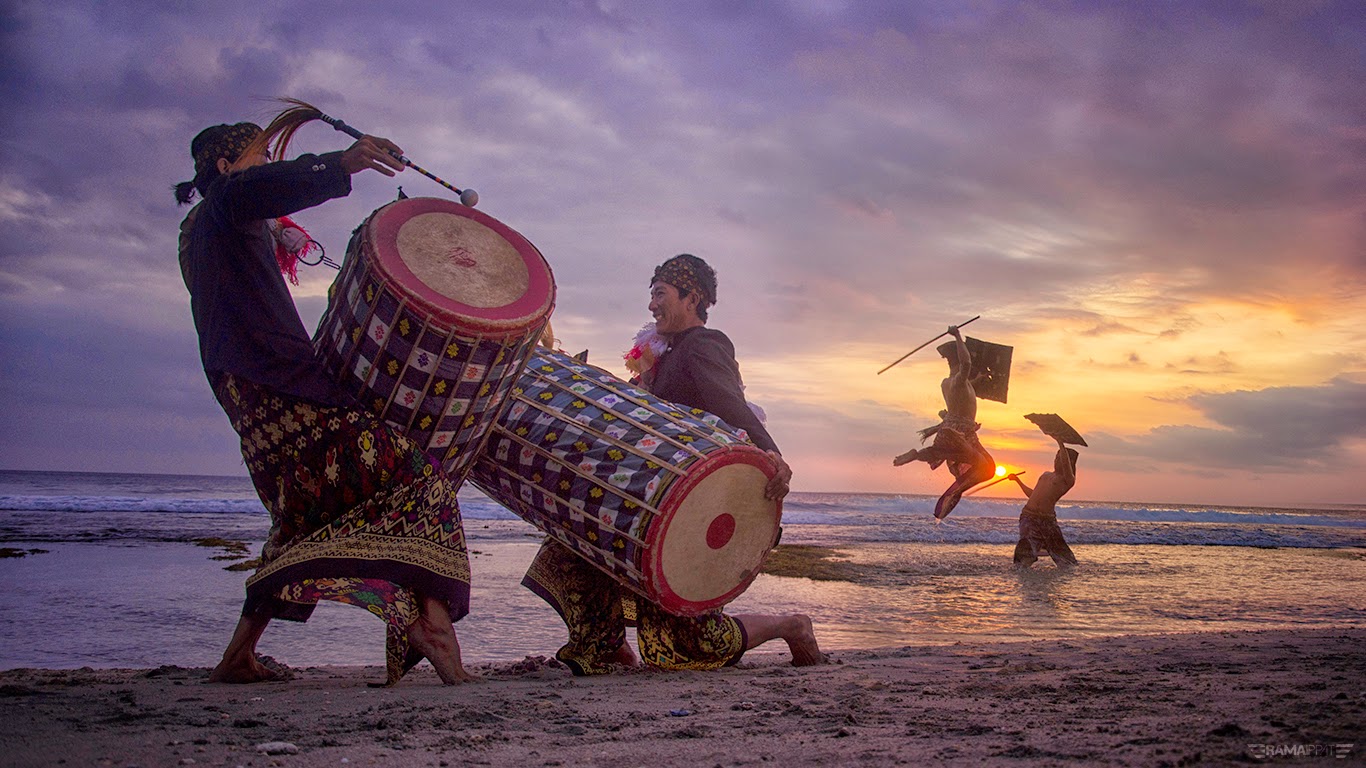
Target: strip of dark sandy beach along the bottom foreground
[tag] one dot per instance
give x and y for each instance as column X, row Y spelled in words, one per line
column 1215, row 699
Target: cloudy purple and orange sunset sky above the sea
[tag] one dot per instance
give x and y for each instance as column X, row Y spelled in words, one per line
column 1162, row 207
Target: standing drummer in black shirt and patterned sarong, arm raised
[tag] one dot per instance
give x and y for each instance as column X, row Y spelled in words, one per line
column 360, row 515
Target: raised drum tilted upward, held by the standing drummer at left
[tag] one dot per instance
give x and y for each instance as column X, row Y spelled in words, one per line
column 432, row 318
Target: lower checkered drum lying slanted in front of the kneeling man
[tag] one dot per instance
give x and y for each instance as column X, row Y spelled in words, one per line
column 666, row 499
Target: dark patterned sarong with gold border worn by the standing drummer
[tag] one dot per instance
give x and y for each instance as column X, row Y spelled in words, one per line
column 359, row 515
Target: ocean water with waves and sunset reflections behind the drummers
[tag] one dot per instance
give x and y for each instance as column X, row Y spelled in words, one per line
column 111, row 575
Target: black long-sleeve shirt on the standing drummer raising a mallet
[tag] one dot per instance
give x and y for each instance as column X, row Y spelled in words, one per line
column 242, row 308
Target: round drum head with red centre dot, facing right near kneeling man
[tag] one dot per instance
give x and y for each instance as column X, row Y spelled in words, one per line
column 719, row 528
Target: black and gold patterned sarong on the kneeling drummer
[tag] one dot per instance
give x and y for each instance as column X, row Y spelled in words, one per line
column 598, row 610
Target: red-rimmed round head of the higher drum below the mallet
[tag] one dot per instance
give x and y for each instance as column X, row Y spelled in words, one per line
column 462, row 266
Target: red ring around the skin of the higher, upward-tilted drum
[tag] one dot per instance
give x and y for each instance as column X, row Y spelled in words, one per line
column 516, row 318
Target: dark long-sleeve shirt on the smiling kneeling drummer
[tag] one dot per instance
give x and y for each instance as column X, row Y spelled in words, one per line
column 699, row 371
